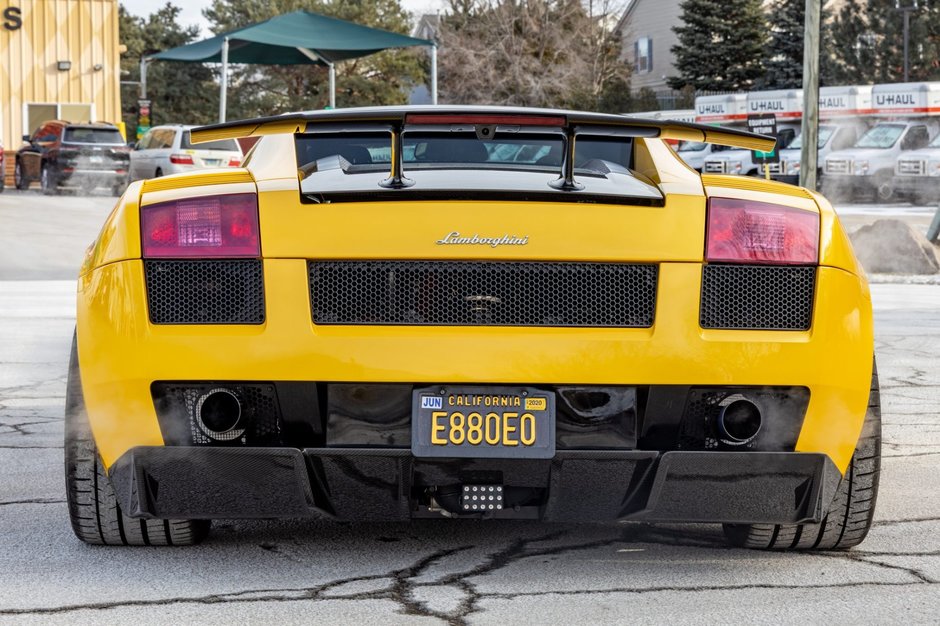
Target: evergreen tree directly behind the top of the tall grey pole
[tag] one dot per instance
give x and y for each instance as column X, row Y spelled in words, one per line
column 787, row 28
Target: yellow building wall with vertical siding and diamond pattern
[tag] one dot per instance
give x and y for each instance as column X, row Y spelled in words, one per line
column 84, row 32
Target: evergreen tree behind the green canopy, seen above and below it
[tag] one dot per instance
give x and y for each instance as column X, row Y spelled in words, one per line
column 382, row 78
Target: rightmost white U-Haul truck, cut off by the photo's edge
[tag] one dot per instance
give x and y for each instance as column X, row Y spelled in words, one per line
column 908, row 117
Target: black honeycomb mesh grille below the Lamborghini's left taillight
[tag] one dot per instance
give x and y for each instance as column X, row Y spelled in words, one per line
column 205, row 291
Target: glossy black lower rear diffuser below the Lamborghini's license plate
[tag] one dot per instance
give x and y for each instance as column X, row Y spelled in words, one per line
column 385, row 484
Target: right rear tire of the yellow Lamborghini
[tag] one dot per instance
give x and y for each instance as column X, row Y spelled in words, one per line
column 850, row 515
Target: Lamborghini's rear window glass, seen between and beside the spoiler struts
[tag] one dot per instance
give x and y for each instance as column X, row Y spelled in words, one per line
column 457, row 149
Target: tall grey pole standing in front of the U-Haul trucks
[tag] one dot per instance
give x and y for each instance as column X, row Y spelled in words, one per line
column 809, row 153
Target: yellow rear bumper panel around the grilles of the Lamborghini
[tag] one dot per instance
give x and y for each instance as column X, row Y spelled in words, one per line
column 288, row 346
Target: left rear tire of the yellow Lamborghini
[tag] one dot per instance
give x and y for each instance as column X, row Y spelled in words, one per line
column 93, row 508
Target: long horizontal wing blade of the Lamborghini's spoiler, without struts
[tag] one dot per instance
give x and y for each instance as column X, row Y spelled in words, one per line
column 398, row 117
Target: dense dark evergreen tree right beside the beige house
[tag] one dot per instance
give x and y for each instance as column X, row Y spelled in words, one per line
column 722, row 45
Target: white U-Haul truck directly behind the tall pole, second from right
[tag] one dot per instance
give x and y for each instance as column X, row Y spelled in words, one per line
column 844, row 115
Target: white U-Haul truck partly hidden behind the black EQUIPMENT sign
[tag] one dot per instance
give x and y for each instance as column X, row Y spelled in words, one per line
column 787, row 107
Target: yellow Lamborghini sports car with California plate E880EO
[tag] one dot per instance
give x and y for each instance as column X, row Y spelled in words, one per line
column 472, row 312
